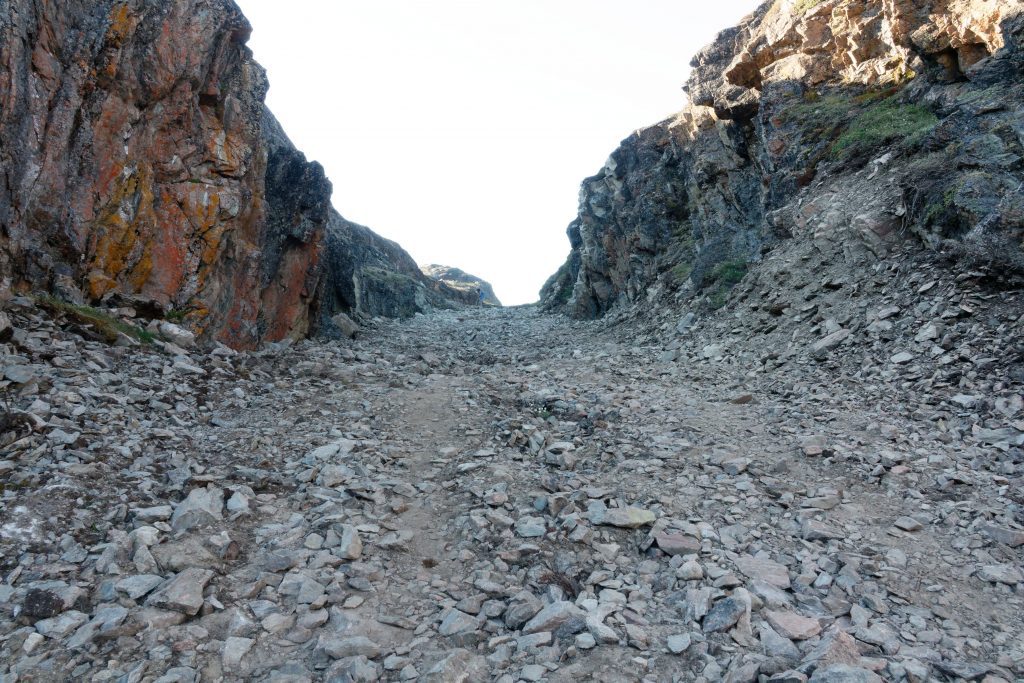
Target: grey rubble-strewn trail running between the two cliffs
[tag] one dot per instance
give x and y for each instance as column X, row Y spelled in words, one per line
column 486, row 495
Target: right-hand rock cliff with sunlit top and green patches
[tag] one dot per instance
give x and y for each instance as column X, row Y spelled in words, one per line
column 864, row 121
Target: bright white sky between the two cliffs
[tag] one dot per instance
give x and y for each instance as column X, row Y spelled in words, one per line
column 463, row 129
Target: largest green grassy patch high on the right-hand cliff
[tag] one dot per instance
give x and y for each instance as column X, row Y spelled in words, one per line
column 883, row 123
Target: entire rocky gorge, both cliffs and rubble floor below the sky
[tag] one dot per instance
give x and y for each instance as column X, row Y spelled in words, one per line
column 766, row 424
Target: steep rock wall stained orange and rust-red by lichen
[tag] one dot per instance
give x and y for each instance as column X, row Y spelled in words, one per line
column 140, row 163
